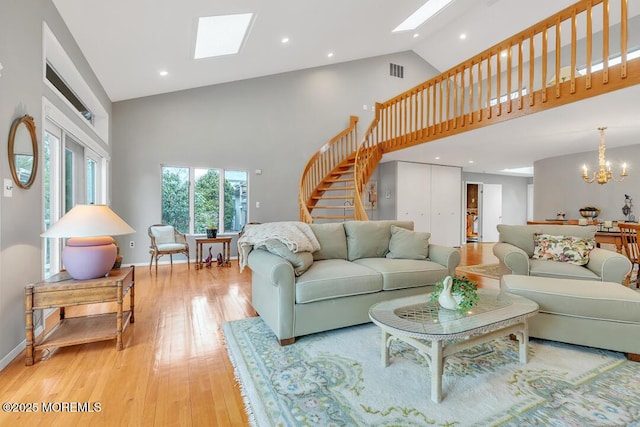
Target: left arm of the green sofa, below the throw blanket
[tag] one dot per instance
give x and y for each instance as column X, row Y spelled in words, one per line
column 273, row 291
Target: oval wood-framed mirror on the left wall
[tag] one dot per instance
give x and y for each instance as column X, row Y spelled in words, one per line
column 23, row 151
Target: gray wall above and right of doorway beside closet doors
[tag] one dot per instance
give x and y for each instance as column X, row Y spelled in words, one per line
column 514, row 194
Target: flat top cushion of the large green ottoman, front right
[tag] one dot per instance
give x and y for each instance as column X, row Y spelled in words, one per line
column 579, row 298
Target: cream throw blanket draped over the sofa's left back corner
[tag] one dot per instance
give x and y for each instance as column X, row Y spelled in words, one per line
column 296, row 235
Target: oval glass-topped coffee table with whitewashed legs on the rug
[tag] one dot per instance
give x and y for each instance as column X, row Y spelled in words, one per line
column 437, row 332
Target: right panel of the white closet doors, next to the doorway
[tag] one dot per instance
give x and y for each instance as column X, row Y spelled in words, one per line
column 446, row 205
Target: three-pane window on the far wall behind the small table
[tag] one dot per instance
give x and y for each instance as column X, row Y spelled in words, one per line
column 217, row 197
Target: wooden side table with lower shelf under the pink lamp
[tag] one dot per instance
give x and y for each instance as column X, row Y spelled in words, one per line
column 60, row 291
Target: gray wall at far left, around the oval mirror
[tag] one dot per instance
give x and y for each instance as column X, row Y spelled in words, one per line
column 21, row 92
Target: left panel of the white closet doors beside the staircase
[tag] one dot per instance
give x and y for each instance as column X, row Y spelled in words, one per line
column 413, row 198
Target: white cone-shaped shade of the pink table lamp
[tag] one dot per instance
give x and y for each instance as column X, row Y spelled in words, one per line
column 89, row 221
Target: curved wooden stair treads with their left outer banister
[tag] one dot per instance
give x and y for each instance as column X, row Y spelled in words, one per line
column 324, row 171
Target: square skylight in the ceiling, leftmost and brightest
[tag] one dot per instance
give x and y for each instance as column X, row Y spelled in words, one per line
column 221, row 35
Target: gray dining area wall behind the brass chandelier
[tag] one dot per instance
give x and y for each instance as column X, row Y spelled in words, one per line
column 569, row 192
